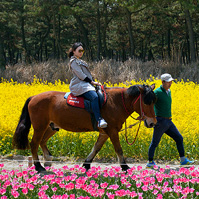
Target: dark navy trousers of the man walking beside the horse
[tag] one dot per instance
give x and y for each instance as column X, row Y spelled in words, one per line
column 165, row 126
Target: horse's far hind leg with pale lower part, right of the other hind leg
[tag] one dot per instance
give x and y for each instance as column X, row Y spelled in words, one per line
column 46, row 153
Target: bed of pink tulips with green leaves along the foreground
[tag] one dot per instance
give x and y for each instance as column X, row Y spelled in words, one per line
column 111, row 183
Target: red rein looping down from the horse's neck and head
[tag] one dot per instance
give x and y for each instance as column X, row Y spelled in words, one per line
column 140, row 119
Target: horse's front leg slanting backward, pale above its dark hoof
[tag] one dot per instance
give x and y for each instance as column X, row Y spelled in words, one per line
column 98, row 145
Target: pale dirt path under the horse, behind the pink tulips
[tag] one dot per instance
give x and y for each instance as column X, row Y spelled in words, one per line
column 18, row 161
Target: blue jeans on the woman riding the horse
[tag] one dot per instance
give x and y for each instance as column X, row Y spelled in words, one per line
column 93, row 98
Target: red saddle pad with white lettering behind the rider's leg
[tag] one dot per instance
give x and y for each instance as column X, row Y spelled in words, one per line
column 75, row 101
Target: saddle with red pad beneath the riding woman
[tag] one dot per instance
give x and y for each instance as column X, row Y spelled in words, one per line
column 81, row 102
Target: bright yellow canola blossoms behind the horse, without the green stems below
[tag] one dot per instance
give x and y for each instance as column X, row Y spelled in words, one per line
column 185, row 109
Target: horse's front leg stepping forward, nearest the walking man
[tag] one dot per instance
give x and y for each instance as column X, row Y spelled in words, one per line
column 118, row 149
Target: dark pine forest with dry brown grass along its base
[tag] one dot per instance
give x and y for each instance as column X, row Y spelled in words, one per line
column 123, row 39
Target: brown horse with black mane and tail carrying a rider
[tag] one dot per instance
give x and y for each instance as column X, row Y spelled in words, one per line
column 42, row 109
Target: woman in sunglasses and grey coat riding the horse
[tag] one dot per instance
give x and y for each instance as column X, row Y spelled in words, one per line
column 82, row 82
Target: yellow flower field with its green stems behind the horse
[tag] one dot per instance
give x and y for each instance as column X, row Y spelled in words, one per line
column 185, row 109
